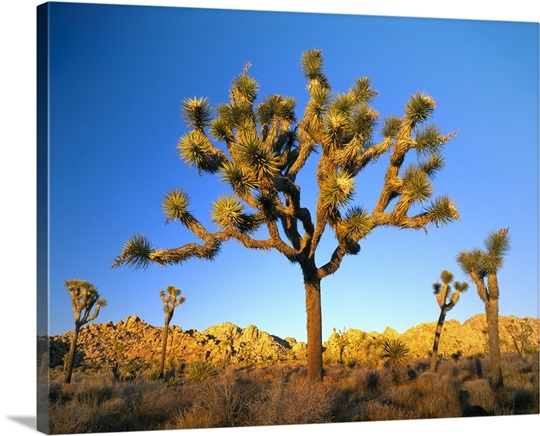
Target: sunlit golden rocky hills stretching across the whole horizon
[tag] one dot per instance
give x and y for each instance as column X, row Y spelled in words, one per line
column 135, row 345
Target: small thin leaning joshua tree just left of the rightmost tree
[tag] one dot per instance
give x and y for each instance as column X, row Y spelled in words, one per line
column 447, row 299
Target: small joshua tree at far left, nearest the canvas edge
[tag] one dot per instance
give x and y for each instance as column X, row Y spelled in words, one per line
column 84, row 298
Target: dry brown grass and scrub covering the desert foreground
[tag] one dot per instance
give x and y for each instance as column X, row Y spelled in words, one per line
column 281, row 394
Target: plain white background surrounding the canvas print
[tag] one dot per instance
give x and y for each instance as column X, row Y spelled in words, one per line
column 18, row 199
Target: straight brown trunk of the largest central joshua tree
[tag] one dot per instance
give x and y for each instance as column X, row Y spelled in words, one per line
column 314, row 329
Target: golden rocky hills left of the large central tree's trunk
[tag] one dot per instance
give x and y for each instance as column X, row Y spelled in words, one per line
column 135, row 344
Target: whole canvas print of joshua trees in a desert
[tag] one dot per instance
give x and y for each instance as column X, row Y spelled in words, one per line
column 252, row 218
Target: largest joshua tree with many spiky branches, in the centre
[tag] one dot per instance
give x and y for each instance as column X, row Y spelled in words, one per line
column 263, row 148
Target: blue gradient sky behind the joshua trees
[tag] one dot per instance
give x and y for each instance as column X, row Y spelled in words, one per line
column 118, row 76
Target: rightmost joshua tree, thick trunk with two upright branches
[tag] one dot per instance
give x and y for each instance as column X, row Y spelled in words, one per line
column 482, row 267
